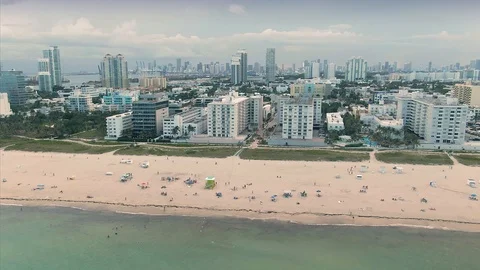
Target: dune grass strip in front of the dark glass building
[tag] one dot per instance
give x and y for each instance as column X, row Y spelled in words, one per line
column 219, row 152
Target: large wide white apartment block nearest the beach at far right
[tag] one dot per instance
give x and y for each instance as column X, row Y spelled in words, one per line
column 435, row 119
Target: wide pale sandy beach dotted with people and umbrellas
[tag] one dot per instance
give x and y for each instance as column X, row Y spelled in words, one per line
column 334, row 194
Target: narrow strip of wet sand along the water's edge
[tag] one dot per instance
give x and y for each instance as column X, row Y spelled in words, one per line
column 301, row 218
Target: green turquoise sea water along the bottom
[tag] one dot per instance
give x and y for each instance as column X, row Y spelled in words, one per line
column 61, row 238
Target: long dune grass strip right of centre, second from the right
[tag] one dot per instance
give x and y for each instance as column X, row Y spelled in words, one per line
column 306, row 155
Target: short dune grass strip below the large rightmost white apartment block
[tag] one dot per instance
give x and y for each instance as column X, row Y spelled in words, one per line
column 417, row 158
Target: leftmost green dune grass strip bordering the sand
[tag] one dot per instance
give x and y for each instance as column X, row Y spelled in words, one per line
column 58, row 146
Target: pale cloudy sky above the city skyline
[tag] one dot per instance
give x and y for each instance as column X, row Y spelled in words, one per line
column 441, row 31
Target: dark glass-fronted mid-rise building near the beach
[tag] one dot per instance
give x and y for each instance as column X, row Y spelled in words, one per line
column 148, row 114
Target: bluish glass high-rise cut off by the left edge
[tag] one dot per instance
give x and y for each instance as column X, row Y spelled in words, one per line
column 13, row 83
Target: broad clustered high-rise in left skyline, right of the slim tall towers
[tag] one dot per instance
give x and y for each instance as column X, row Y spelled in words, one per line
column 114, row 71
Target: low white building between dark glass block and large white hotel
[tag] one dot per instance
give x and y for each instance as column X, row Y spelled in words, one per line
column 178, row 125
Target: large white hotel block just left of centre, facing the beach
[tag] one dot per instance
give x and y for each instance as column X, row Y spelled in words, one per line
column 230, row 115
